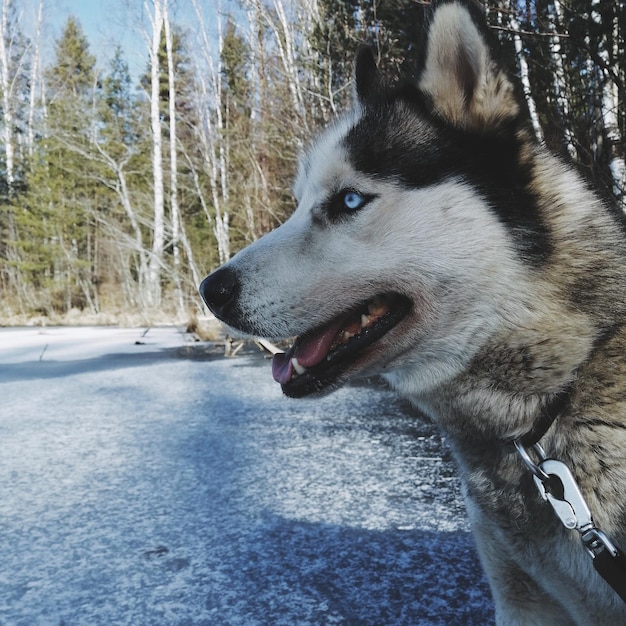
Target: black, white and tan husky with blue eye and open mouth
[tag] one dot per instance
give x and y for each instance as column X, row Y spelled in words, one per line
column 437, row 243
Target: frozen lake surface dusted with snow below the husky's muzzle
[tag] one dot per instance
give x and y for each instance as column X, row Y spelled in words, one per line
column 142, row 484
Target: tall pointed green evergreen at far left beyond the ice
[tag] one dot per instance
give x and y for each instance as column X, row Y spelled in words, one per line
column 58, row 233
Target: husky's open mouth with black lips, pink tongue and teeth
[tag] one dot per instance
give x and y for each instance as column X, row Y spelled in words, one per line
column 319, row 357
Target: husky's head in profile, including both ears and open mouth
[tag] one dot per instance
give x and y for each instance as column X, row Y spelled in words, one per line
column 412, row 222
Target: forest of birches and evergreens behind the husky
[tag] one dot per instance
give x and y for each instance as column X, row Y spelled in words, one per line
column 119, row 193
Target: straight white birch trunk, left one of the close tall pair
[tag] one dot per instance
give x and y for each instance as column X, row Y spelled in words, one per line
column 156, row 258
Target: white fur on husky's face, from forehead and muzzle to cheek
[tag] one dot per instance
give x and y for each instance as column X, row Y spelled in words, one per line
column 438, row 243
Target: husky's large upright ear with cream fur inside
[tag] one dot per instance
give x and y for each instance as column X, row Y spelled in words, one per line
column 464, row 83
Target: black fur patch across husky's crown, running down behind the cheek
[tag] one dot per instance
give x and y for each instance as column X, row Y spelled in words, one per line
column 399, row 139
